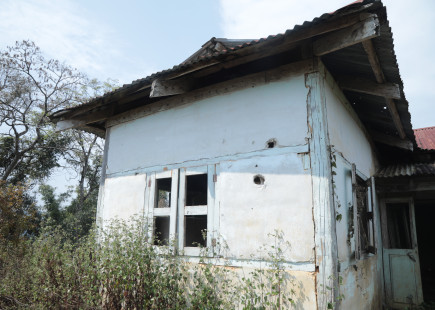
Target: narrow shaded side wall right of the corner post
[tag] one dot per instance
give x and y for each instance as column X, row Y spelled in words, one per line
column 360, row 284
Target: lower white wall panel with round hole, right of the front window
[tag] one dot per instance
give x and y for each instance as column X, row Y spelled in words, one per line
column 249, row 212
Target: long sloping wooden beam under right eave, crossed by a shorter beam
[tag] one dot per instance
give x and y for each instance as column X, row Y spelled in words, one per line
column 380, row 78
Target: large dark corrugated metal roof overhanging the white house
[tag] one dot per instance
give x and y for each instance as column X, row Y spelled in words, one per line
column 349, row 61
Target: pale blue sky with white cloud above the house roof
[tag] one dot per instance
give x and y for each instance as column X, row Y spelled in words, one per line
column 130, row 39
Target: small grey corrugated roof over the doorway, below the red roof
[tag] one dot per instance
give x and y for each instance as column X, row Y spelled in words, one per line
column 412, row 169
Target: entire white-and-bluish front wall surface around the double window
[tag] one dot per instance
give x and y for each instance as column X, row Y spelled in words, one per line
column 231, row 131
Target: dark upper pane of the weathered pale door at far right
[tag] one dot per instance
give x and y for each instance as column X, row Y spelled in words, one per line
column 398, row 223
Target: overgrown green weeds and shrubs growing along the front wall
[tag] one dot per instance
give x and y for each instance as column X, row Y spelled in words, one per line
column 122, row 270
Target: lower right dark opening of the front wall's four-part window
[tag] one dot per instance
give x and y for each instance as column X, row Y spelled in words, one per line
column 196, row 226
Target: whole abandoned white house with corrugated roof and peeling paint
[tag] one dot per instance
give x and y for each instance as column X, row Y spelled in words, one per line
column 307, row 132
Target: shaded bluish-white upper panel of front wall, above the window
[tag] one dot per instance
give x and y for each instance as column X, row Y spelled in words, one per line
column 237, row 122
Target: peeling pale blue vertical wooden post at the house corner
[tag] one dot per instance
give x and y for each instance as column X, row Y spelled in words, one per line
column 323, row 207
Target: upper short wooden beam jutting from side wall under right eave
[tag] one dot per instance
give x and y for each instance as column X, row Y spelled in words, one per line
column 367, row 86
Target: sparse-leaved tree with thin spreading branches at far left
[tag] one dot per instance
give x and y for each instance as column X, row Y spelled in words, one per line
column 31, row 88
